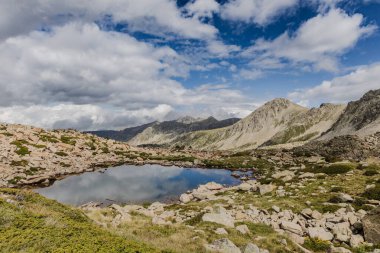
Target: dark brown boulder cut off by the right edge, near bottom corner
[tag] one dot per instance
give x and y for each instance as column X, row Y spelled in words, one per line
column 371, row 226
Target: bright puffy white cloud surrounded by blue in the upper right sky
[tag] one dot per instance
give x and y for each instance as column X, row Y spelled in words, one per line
column 319, row 41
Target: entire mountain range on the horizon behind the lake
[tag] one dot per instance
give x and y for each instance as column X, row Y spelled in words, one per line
column 279, row 122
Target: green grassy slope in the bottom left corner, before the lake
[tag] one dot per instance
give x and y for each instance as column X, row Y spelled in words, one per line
column 37, row 224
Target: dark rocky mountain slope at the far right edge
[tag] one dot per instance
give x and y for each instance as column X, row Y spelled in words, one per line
column 360, row 118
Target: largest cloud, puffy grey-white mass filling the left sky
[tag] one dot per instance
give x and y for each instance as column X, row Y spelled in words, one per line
column 78, row 75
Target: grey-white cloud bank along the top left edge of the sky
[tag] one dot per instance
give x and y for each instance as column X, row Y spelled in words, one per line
column 144, row 15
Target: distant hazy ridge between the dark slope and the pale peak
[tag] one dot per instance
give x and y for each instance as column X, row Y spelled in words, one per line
column 166, row 132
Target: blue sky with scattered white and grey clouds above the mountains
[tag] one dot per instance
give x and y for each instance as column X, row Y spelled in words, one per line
column 97, row 64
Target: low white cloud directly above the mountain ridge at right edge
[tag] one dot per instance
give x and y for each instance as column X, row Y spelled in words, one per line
column 341, row 89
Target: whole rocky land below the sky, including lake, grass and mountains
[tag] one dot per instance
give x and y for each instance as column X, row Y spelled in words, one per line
column 284, row 179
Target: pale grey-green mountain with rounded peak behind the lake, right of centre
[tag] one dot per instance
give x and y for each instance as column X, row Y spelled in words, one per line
column 276, row 122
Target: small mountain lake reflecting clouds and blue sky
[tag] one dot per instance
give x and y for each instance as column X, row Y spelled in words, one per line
column 133, row 184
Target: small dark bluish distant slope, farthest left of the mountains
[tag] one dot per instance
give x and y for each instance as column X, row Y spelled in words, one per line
column 122, row 135
